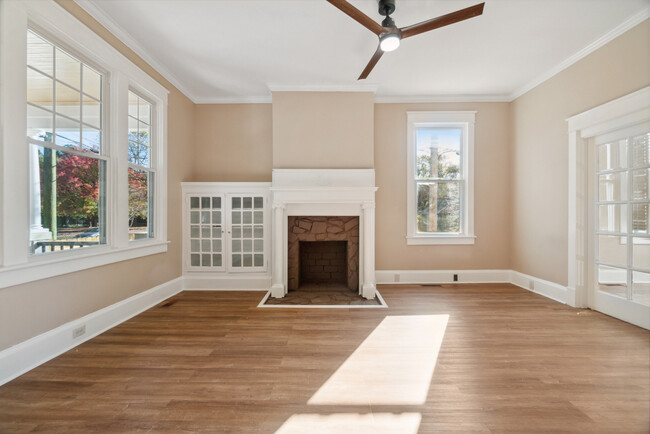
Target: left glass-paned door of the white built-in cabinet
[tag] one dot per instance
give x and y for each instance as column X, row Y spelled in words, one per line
column 206, row 232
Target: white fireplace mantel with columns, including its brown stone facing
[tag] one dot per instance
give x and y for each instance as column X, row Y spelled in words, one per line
column 324, row 205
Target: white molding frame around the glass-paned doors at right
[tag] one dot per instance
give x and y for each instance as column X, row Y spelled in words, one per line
column 629, row 110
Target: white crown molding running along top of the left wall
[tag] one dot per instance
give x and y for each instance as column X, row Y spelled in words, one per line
column 128, row 40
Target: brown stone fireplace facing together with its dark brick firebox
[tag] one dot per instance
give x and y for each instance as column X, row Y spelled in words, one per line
column 322, row 249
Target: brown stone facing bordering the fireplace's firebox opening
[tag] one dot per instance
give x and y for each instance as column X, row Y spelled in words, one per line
column 320, row 228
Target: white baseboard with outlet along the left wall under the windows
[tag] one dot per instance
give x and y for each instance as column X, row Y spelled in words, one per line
column 25, row 356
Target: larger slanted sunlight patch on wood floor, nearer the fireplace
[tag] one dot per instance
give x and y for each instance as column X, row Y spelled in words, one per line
column 393, row 366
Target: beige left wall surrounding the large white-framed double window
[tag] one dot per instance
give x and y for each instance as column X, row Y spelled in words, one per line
column 30, row 309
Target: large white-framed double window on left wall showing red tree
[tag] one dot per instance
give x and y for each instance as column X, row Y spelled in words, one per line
column 82, row 148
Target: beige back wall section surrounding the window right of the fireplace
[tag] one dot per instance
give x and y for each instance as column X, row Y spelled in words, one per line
column 491, row 191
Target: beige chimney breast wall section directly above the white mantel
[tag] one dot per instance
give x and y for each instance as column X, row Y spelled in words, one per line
column 323, row 130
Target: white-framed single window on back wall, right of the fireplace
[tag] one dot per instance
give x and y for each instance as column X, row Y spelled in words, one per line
column 440, row 186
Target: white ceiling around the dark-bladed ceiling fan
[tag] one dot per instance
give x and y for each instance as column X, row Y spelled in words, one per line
column 235, row 50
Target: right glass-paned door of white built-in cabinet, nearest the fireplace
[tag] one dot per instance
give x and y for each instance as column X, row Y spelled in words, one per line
column 247, row 233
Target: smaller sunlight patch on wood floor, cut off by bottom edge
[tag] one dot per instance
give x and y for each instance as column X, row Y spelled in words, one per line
column 389, row 423
